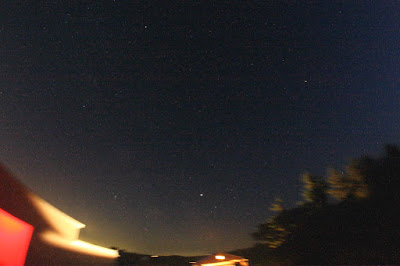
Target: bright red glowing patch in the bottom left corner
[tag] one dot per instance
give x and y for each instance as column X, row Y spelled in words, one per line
column 15, row 236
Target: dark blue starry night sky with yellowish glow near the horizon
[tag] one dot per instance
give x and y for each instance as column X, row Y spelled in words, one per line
column 169, row 127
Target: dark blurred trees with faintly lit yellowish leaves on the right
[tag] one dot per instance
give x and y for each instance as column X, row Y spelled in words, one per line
column 348, row 217
